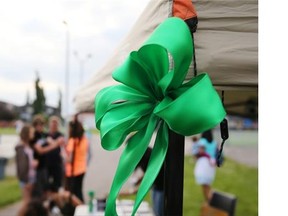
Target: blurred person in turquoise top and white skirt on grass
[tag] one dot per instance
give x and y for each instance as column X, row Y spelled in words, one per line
column 205, row 168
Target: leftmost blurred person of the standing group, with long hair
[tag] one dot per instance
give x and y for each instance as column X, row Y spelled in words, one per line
column 25, row 165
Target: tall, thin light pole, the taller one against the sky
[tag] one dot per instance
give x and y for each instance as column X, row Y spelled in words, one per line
column 67, row 74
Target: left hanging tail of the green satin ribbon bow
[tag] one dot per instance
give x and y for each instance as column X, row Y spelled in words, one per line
column 130, row 157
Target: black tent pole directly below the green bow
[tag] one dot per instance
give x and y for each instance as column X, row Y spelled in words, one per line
column 173, row 175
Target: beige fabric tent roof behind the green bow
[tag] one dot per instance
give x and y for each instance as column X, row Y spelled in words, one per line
column 226, row 47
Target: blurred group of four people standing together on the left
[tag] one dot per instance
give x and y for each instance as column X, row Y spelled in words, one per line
column 48, row 162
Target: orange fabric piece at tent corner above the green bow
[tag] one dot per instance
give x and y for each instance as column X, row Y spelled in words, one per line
column 184, row 9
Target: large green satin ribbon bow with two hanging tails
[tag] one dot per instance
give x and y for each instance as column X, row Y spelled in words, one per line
column 153, row 97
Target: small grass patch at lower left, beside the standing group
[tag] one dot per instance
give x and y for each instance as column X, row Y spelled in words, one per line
column 9, row 190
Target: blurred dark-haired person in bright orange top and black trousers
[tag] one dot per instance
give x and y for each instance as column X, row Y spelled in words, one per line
column 76, row 158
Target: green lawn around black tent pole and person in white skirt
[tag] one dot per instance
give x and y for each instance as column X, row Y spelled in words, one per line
column 232, row 177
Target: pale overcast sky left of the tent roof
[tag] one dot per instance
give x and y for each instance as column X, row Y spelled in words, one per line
column 33, row 38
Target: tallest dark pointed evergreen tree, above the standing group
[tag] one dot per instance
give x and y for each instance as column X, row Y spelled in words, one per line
column 39, row 102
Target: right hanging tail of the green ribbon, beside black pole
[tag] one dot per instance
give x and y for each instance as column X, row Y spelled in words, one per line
column 155, row 163
